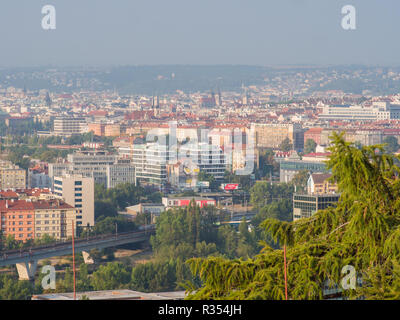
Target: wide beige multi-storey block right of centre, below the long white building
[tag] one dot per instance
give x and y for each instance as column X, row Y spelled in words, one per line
column 271, row 135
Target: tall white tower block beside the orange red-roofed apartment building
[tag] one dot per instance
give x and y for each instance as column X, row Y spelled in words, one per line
column 77, row 191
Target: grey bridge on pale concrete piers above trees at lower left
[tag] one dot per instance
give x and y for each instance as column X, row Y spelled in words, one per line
column 26, row 259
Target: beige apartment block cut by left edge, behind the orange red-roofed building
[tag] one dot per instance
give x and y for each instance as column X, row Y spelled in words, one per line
column 11, row 176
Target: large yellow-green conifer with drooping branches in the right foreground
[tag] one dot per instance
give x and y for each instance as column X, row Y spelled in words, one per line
column 363, row 230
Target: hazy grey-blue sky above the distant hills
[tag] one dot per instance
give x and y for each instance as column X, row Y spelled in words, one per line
column 252, row 32
